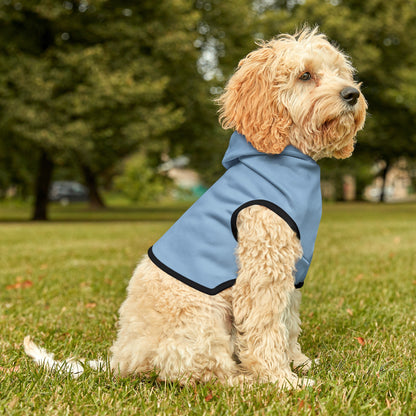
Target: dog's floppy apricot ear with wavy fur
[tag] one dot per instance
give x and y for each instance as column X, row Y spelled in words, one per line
column 250, row 103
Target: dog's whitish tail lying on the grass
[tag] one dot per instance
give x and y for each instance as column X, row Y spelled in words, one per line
column 72, row 366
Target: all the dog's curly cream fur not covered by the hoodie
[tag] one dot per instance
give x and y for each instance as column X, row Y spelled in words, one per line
column 292, row 90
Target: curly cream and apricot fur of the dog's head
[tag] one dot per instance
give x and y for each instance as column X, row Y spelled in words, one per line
column 266, row 102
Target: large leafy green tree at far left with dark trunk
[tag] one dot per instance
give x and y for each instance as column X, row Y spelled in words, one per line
column 80, row 83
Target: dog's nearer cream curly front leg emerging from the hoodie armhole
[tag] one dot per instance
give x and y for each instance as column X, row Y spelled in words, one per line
column 267, row 253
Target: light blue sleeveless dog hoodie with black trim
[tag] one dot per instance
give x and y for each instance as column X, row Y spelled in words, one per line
column 199, row 249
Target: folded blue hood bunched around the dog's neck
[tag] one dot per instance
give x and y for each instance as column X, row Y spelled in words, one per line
column 239, row 149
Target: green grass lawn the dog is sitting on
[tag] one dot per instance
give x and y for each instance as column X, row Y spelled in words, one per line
column 62, row 282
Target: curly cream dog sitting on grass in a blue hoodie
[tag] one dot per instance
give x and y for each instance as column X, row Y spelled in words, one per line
column 217, row 297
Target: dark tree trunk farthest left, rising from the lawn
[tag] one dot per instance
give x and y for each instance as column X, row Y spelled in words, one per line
column 42, row 185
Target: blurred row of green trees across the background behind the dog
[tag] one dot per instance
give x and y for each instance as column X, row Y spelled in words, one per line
column 90, row 89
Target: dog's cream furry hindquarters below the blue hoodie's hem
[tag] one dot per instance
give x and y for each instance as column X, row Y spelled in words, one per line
column 173, row 329
